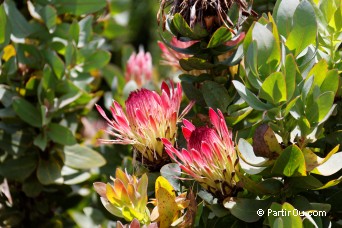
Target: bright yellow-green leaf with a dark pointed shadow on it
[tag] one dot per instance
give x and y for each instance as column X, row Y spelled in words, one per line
column 274, row 88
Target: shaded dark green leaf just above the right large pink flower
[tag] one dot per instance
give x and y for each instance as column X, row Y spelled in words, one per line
column 216, row 95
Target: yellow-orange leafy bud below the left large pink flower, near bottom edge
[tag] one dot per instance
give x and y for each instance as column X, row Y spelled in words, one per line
column 126, row 198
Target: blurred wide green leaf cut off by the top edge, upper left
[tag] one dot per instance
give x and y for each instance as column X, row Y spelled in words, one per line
column 79, row 7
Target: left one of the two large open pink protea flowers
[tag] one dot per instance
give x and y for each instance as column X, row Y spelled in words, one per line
column 148, row 118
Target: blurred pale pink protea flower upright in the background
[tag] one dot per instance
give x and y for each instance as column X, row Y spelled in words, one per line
column 139, row 68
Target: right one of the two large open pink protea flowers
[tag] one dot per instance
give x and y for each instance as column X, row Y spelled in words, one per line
column 210, row 157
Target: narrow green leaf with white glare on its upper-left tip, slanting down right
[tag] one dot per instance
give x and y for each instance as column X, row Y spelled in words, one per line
column 249, row 97
